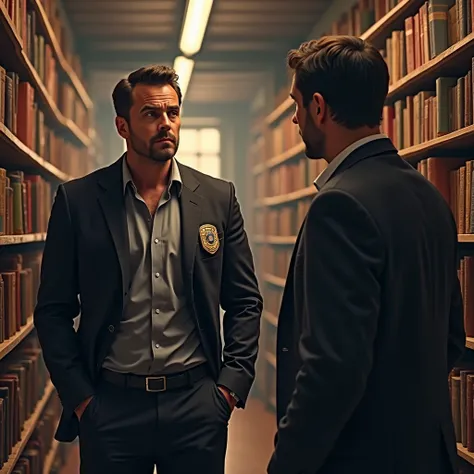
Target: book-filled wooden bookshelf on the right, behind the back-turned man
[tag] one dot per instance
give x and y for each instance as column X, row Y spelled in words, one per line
column 436, row 140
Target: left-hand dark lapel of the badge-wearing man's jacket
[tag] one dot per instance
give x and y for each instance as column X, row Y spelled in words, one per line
column 111, row 200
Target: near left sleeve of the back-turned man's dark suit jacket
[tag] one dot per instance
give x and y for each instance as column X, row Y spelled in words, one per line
column 343, row 259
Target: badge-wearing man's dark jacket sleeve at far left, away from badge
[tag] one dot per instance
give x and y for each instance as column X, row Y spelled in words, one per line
column 58, row 305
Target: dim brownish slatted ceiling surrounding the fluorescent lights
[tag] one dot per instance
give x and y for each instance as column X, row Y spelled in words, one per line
column 244, row 40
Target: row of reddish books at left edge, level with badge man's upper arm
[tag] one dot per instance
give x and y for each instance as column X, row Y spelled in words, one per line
column 25, row 203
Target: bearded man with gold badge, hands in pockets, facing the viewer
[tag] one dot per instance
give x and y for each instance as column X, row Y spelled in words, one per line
column 147, row 249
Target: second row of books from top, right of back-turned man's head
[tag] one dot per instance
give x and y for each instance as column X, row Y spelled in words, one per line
column 430, row 114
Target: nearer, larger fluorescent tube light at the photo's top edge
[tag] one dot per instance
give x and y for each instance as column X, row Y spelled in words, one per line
column 195, row 24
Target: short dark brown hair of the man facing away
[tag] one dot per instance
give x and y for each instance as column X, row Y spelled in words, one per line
column 348, row 72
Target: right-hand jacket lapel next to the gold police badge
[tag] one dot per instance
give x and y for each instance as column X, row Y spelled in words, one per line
column 190, row 208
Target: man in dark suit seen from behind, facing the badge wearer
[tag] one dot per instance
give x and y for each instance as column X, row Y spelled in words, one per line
column 371, row 320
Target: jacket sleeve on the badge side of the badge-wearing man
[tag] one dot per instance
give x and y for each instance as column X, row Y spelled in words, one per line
column 242, row 302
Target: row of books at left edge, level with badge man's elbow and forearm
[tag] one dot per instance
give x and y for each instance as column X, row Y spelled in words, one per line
column 19, row 283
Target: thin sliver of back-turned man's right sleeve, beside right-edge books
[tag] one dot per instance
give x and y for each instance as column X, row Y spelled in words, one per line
column 457, row 335
